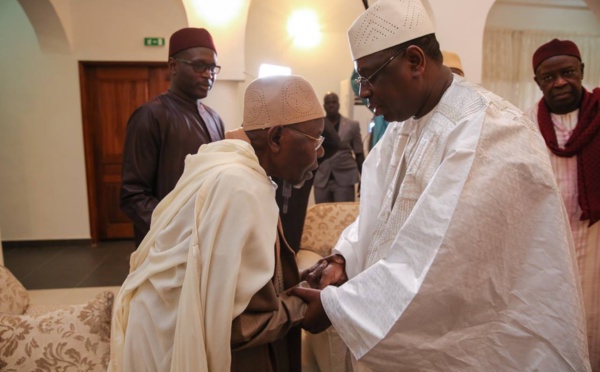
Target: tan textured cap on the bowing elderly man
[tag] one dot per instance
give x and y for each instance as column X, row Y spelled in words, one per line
column 280, row 100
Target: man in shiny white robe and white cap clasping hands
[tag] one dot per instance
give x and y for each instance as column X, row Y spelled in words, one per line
column 461, row 258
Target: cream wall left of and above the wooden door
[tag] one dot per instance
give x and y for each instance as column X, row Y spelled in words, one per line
column 42, row 164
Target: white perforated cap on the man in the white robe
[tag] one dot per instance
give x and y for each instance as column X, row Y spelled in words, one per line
column 388, row 23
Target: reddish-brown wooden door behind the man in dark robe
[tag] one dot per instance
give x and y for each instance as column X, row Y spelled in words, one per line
column 110, row 93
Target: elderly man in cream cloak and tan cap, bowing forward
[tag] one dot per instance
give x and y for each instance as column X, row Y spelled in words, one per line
column 205, row 289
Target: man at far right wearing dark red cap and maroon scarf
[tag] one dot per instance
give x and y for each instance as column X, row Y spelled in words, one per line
column 569, row 119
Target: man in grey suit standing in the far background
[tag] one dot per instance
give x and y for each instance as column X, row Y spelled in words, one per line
column 337, row 176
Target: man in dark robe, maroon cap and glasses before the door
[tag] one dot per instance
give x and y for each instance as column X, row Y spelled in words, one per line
column 163, row 131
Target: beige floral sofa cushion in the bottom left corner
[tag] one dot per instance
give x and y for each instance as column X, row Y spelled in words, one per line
column 76, row 337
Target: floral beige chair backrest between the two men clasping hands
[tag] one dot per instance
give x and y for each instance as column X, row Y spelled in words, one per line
column 324, row 224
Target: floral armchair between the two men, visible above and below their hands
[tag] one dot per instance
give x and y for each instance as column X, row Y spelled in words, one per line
column 324, row 223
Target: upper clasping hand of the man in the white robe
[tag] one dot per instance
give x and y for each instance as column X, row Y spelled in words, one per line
column 330, row 270
